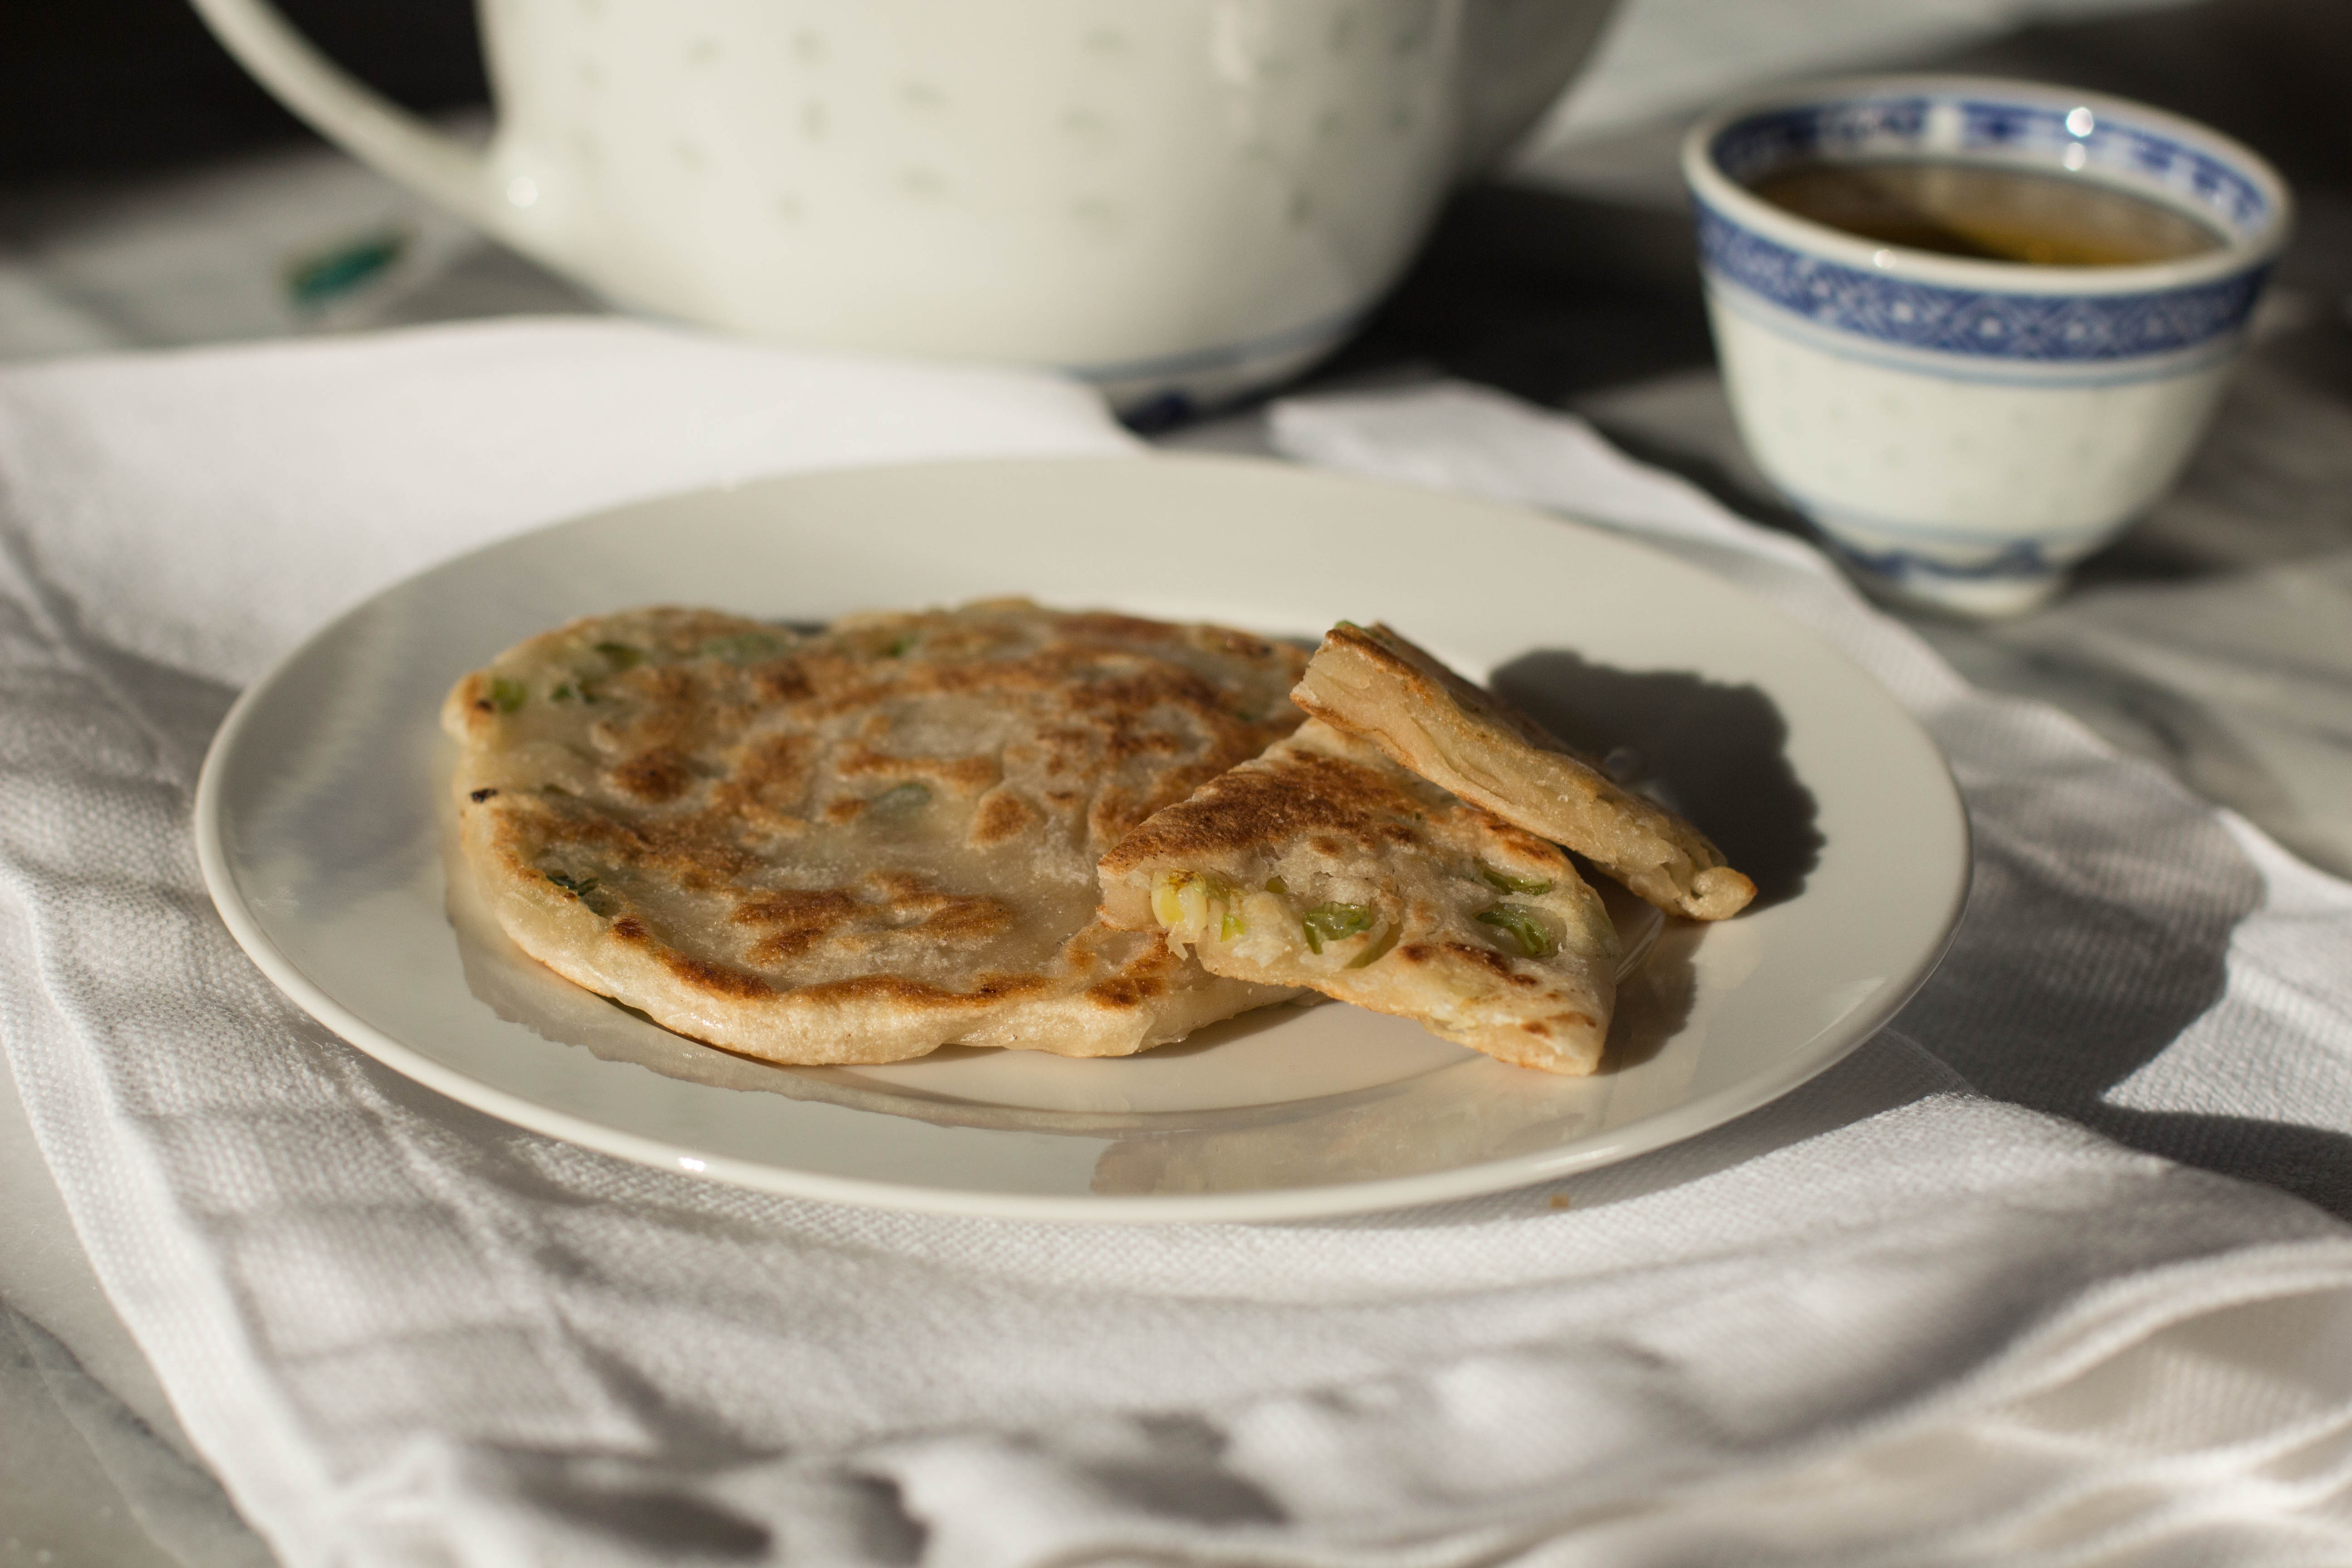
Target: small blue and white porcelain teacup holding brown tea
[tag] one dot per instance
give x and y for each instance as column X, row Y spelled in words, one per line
column 1965, row 431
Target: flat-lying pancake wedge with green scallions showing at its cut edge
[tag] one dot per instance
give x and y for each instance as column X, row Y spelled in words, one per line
column 1325, row 864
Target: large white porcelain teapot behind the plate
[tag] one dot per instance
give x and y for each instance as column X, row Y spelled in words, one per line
column 1172, row 199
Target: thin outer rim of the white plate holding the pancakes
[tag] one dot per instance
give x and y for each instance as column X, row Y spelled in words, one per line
column 1257, row 1205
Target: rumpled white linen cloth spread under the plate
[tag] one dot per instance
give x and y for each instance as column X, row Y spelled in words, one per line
column 1916, row 1313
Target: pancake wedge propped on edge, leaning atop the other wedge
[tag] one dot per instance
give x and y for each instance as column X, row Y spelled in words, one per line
column 1379, row 688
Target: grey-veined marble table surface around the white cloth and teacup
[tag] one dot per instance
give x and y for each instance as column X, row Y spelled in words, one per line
column 2217, row 638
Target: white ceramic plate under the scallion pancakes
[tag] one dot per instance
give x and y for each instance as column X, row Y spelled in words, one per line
column 319, row 824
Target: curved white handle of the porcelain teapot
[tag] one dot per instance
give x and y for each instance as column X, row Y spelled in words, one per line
column 373, row 128
